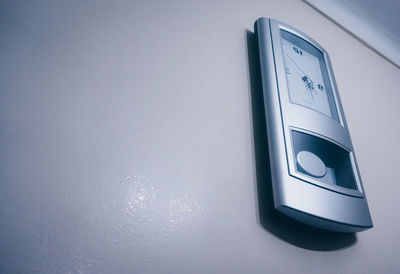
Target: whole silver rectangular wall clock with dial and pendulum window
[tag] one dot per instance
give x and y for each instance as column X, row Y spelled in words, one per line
column 315, row 177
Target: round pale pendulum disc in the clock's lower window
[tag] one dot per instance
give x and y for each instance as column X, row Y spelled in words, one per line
column 311, row 164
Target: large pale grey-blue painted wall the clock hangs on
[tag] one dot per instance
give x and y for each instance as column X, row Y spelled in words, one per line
column 128, row 133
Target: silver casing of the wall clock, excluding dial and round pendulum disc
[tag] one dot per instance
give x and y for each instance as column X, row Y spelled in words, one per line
column 337, row 201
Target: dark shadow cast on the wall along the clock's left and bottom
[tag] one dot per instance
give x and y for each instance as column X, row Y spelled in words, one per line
column 280, row 225
